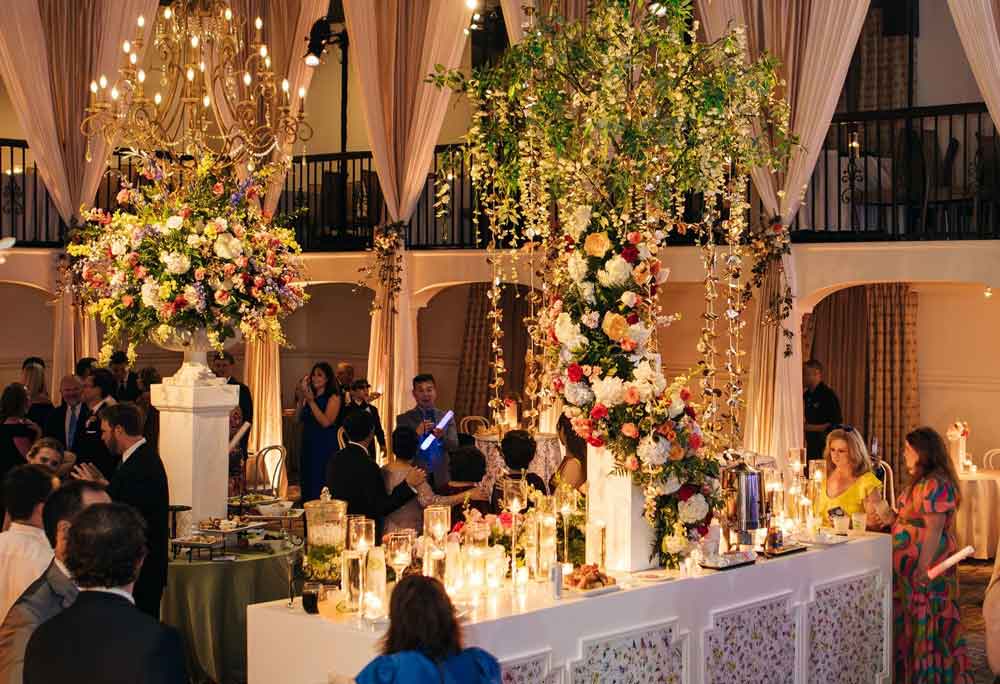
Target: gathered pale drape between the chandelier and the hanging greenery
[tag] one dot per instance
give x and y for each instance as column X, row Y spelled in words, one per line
column 395, row 45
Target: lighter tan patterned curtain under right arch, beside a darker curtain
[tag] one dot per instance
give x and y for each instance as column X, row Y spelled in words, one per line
column 893, row 398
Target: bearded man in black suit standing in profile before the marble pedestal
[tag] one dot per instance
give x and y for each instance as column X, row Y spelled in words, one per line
column 141, row 482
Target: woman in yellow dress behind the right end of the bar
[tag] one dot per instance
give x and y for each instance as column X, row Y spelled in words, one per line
column 849, row 474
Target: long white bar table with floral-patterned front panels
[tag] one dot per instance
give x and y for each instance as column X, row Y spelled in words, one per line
column 823, row 615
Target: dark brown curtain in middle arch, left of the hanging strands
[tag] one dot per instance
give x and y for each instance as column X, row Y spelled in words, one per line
column 473, row 392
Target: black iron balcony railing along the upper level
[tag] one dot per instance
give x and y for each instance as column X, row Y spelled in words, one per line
column 929, row 173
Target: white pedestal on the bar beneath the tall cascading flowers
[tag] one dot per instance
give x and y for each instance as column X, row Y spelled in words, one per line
column 617, row 503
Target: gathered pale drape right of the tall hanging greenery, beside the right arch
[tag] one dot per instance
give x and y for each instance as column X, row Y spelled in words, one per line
column 814, row 41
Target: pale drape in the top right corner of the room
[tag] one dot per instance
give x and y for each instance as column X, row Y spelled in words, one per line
column 977, row 24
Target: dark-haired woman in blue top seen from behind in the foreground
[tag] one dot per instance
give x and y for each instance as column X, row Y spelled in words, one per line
column 424, row 642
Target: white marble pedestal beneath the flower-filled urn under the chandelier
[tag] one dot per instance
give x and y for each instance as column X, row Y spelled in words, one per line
column 194, row 410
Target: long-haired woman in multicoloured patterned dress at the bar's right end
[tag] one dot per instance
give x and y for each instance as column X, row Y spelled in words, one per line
column 929, row 643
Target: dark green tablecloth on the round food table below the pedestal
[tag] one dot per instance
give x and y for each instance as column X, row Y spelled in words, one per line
column 207, row 601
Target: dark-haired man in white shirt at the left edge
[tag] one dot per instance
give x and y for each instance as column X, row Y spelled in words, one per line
column 25, row 552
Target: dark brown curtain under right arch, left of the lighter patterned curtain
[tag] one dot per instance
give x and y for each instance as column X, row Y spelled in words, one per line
column 839, row 342
